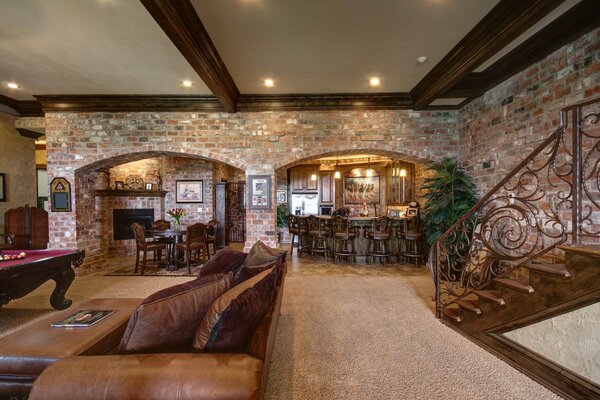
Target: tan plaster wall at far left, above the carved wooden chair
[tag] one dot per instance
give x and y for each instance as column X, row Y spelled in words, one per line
column 17, row 161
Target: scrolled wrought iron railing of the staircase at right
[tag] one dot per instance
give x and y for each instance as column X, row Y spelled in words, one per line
column 550, row 198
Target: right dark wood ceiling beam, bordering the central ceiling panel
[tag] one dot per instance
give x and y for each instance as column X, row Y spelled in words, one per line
column 507, row 20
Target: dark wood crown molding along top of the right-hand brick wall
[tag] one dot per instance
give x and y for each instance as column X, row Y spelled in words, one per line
column 575, row 22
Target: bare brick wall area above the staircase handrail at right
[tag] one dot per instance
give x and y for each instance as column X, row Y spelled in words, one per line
column 507, row 122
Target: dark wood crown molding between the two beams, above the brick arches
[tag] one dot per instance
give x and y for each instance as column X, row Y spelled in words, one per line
column 345, row 101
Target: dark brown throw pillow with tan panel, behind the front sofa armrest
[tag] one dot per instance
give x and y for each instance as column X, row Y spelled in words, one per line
column 230, row 322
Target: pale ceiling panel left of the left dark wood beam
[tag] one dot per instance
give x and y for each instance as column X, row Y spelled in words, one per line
column 88, row 47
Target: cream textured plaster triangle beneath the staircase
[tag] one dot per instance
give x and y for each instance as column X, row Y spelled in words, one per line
column 571, row 340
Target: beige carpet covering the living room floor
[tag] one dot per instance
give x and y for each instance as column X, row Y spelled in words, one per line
column 343, row 337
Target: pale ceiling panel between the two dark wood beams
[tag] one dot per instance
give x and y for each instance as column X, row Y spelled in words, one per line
column 335, row 46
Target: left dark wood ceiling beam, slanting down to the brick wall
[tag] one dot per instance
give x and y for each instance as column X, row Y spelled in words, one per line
column 180, row 21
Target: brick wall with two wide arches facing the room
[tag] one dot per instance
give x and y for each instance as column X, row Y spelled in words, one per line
column 257, row 143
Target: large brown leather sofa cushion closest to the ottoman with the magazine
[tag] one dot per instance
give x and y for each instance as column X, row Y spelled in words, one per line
column 167, row 320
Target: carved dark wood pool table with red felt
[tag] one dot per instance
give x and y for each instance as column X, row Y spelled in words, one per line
column 22, row 276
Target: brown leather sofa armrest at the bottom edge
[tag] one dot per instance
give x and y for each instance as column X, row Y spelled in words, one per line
column 151, row 376
